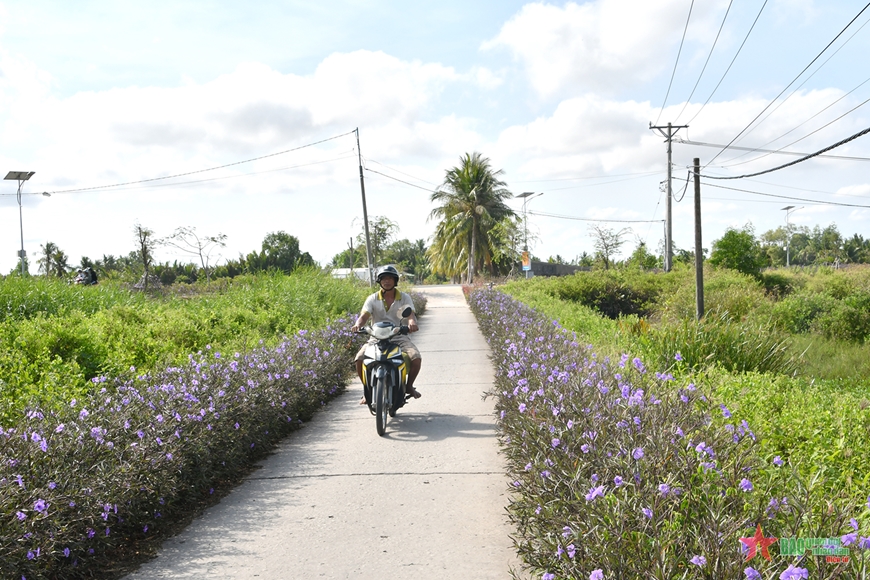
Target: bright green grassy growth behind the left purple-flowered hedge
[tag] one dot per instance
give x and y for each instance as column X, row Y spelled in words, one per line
column 63, row 336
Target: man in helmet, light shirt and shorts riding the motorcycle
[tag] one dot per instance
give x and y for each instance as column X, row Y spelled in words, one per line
column 387, row 305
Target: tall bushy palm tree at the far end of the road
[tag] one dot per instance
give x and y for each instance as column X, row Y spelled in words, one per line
column 471, row 205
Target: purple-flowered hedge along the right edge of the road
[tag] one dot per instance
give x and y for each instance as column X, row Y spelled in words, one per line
column 621, row 472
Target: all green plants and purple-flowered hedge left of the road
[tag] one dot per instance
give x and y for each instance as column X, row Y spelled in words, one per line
column 123, row 412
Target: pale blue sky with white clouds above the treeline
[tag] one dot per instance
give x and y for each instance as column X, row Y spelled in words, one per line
column 98, row 95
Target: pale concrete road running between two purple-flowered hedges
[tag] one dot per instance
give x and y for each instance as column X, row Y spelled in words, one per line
column 337, row 501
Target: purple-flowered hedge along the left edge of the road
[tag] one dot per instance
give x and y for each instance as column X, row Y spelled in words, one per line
column 79, row 485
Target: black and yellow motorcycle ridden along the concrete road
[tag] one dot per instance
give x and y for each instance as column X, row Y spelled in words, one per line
column 385, row 371
